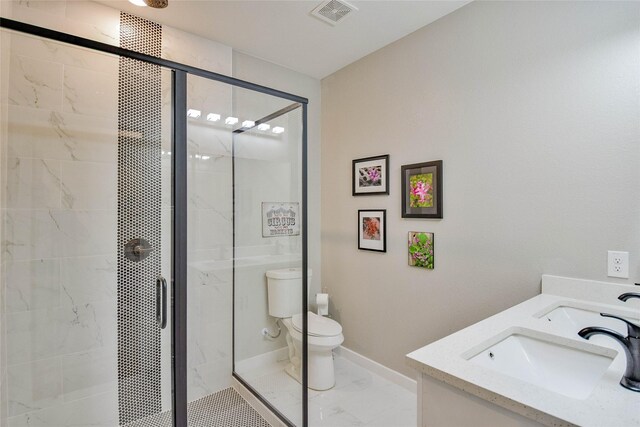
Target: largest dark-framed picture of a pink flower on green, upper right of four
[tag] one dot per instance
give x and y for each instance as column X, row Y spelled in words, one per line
column 422, row 190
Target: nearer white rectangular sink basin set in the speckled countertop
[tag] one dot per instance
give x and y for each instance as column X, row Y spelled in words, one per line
column 570, row 371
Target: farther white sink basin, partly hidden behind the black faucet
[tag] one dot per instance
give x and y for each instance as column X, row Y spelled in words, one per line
column 569, row 320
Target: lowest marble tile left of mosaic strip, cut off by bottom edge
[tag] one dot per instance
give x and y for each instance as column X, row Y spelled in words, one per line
column 96, row 411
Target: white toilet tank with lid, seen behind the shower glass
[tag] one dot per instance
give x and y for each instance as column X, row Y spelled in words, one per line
column 284, row 290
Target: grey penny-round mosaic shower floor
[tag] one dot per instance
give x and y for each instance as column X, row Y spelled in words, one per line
column 224, row 408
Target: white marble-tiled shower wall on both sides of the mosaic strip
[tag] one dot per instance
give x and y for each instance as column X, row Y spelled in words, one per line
column 60, row 227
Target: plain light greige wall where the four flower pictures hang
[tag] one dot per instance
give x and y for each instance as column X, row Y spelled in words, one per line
column 534, row 108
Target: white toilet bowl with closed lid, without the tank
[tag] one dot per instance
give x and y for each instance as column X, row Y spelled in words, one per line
column 323, row 336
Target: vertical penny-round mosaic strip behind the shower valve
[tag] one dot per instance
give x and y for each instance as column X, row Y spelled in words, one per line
column 139, row 205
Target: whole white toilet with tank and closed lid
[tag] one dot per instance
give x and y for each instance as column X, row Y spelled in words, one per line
column 284, row 289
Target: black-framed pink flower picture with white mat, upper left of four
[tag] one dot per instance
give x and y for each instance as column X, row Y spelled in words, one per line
column 370, row 176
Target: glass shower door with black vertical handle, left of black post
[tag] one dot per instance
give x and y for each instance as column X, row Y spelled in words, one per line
column 86, row 220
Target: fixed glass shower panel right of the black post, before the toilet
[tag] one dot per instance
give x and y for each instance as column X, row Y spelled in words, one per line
column 244, row 156
